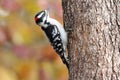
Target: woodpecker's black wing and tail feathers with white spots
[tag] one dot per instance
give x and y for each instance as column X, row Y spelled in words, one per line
column 54, row 37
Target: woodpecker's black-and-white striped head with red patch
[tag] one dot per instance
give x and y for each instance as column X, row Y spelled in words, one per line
column 41, row 17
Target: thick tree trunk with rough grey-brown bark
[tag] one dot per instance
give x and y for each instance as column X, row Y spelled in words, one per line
column 94, row 42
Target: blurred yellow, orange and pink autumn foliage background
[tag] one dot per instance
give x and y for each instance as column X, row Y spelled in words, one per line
column 25, row 53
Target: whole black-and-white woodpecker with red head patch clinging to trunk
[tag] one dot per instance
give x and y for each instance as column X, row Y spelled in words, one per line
column 55, row 33
